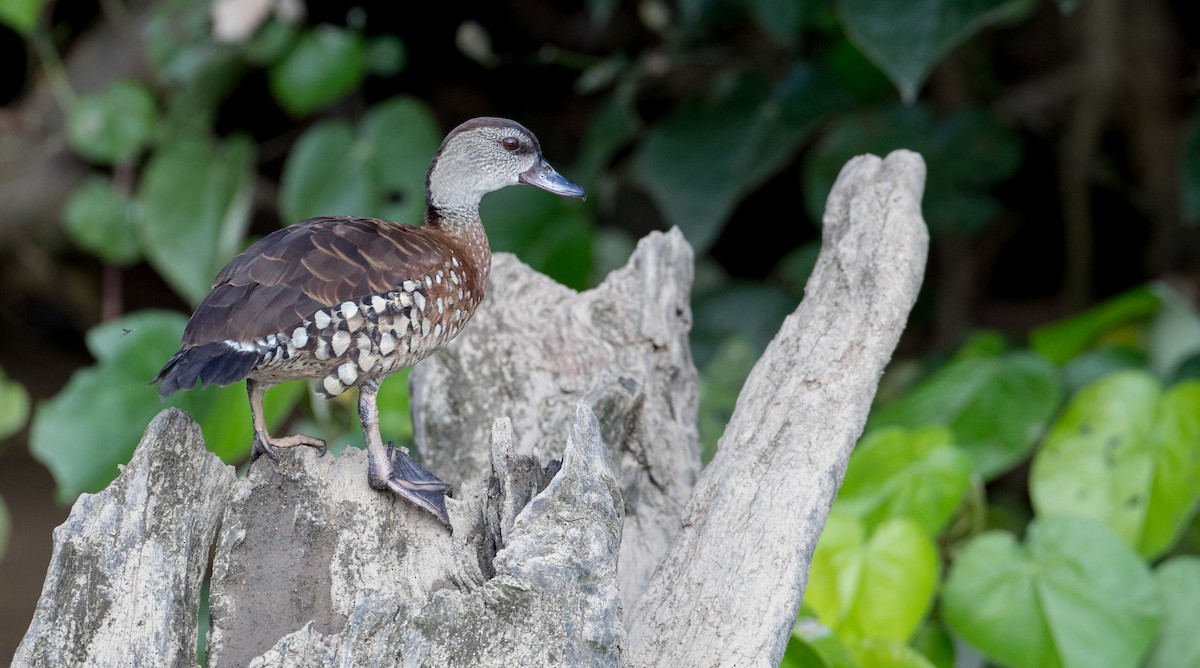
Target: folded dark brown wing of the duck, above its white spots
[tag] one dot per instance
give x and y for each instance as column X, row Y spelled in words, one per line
column 291, row 274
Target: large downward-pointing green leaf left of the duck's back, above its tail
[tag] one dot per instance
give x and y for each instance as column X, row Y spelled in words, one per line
column 195, row 210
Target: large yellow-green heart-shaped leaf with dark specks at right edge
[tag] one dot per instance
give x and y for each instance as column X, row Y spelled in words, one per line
column 1127, row 455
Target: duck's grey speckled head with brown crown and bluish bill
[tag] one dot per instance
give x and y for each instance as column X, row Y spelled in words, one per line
column 485, row 155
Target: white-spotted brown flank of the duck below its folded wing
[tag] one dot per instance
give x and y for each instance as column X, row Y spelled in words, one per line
column 374, row 336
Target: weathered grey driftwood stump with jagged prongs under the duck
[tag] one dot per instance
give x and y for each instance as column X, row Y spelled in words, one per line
column 627, row 553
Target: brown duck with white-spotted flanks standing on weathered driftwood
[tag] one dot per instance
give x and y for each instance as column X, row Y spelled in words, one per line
column 346, row 302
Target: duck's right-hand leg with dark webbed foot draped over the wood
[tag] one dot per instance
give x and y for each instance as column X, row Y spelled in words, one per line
column 391, row 468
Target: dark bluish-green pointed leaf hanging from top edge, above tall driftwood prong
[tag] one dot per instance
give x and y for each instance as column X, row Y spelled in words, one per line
column 908, row 39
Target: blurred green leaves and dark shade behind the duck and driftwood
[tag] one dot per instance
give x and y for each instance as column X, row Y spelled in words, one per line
column 1025, row 492
